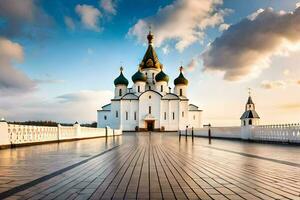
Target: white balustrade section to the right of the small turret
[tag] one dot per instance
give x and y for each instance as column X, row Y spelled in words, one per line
column 277, row 133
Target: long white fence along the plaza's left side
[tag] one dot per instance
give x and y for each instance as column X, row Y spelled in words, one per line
column 13, row 134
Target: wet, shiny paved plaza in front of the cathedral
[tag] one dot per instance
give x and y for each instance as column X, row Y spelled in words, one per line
column 155, row 166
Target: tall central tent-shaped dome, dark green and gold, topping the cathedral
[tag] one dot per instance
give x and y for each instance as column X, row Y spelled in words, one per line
column 150, row 59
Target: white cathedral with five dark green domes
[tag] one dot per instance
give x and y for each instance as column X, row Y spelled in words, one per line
column 150, row 104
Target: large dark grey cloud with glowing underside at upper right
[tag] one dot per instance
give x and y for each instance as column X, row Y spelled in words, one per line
column 246, row 48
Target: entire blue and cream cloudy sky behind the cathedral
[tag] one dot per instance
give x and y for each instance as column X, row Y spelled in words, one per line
column 58, row 58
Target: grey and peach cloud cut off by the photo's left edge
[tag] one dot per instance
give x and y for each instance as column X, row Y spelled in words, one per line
column 12, row 80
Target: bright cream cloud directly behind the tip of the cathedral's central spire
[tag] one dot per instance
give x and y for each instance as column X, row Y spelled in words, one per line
column 183, row 21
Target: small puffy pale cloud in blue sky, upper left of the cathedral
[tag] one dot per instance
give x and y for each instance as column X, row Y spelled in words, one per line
column 89, row 16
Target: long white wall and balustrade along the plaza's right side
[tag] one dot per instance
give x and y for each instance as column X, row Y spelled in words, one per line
column 286, row 133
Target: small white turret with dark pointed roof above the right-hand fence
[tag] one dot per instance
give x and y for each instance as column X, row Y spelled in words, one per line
column 250, row 116
